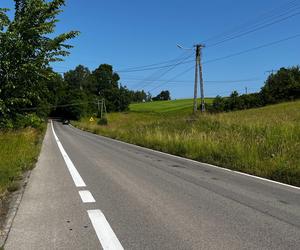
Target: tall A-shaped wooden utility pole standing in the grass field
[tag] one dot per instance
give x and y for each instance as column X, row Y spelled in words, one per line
column 199, row 65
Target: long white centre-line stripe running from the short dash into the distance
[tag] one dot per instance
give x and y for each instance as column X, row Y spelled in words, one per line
column 73, row 171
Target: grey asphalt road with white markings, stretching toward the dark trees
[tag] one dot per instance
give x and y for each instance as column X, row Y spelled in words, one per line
column 135, row 198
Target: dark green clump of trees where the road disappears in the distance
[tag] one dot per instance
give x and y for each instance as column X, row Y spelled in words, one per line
column 80, row 89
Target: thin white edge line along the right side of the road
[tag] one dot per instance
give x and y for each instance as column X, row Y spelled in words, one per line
column 193, row 161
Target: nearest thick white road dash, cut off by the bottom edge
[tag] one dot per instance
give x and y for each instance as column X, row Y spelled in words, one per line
column 104, row 232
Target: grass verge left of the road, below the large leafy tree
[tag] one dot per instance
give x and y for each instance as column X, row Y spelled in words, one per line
column 19, row 151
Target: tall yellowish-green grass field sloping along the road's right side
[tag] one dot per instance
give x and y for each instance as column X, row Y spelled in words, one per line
column 264, row 142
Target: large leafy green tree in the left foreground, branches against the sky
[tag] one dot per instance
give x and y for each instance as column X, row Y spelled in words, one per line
column 25, row 53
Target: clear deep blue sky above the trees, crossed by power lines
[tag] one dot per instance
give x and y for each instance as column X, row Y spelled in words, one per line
column 135, row 33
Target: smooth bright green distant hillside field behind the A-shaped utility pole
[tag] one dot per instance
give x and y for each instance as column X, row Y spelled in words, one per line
column 166, row 106
